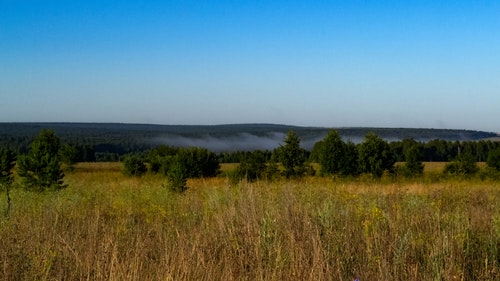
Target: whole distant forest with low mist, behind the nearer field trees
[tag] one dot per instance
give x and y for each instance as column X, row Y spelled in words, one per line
column 111, row 141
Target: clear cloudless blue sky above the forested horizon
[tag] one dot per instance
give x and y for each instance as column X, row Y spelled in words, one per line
column 376, row 63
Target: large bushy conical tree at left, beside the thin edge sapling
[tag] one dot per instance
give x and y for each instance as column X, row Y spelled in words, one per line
column 40, row 169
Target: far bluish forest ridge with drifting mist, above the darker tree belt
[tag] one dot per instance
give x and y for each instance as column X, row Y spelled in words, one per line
column 228, row 137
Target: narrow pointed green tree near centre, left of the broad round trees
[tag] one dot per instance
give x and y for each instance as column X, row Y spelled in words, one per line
column 291, row 155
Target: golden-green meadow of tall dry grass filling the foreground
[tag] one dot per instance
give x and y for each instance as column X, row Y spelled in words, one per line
column 106, row 226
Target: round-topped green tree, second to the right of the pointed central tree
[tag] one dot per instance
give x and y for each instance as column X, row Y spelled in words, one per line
column 375, row 156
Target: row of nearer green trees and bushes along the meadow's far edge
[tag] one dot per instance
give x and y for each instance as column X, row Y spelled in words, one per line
column 41, row 167
